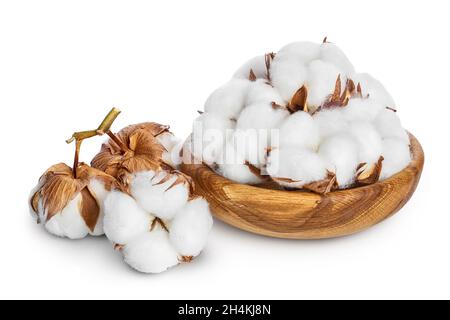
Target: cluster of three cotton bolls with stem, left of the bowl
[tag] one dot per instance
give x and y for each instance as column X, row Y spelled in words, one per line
column 132, row 192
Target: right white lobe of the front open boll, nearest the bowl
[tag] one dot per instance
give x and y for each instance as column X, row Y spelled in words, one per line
column 190, row 228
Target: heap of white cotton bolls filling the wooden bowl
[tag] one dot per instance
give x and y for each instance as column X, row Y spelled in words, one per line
column 303, row 118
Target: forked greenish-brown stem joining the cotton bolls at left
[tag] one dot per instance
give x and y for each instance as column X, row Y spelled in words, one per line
column 104, row 127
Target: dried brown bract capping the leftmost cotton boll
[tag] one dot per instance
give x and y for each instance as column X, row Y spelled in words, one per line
column 58, row 186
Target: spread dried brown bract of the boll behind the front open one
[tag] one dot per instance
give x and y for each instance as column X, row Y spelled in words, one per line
column 135, row 148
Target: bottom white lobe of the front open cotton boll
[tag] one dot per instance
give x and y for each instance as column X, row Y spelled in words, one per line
column 151, row 252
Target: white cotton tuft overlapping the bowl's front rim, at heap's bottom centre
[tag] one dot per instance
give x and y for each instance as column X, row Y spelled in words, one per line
column 300, row 165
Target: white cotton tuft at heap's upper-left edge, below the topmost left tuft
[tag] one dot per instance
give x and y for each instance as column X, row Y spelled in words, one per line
column 229, row 100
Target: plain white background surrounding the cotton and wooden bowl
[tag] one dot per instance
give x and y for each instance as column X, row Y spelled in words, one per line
column 64, row 64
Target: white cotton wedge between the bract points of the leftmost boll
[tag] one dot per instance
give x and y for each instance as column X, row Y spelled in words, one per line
column 68, row 223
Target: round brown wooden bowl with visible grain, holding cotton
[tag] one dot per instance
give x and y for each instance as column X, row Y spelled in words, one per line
column 305, row 215
